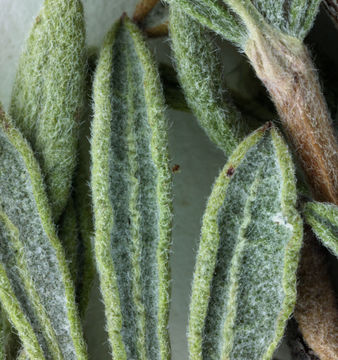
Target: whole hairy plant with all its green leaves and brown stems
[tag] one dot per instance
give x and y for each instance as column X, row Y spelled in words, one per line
column 86, row 184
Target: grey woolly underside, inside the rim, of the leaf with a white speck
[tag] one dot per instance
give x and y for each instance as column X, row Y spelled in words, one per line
column 249, row 232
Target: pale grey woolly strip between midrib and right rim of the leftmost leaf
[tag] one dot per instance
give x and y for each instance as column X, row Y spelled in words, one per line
column 19, row 204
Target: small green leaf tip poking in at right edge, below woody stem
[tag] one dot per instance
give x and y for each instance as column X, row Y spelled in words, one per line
column 323, row 218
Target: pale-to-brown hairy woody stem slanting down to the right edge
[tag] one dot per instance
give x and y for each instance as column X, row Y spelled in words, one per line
column 284, row 65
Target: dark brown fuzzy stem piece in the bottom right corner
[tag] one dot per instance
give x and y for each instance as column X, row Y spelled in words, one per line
column 316, row 307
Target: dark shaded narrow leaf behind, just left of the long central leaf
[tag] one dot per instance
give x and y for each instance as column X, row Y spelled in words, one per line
column 76, row 223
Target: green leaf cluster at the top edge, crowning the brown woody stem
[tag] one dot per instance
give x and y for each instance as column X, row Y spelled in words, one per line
column 235, row 19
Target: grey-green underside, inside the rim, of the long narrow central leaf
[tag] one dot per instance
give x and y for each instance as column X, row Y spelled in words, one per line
column 144, row 211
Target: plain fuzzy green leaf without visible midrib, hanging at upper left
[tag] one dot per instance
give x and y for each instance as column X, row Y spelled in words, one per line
column 48, row 93
